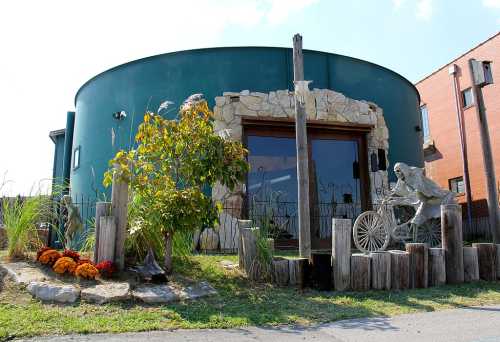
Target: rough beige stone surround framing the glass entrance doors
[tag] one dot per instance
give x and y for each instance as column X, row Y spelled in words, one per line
column 322, row 105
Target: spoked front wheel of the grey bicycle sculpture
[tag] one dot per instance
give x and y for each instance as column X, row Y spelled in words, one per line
column 369, row 232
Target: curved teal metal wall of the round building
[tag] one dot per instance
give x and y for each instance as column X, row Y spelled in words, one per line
column 144, row 84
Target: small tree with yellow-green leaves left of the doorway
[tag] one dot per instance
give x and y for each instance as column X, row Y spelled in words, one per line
column 174, row 162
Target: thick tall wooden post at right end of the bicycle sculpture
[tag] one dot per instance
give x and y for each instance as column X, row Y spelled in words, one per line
column 451, row 232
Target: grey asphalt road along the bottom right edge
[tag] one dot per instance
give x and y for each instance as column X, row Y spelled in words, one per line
column 478, row 324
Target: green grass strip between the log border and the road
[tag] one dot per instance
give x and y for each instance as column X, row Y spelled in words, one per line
column 239, row 304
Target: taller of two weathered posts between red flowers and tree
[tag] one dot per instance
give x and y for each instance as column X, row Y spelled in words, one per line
column 119, row 209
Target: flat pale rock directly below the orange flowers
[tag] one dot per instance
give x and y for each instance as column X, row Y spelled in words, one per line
column 51, row 292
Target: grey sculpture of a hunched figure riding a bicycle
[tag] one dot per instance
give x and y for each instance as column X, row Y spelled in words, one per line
column 373, row 230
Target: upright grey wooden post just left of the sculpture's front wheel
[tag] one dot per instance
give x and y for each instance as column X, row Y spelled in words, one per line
column 341, row 253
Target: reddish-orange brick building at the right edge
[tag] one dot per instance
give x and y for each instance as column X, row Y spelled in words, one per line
column 442, row 147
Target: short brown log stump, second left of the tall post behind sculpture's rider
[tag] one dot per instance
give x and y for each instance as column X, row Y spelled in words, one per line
column 419, row 264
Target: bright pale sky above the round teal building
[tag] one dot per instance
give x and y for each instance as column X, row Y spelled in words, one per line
column 50, row 48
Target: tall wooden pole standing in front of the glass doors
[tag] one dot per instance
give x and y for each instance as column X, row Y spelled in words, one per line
column 302, row 153
